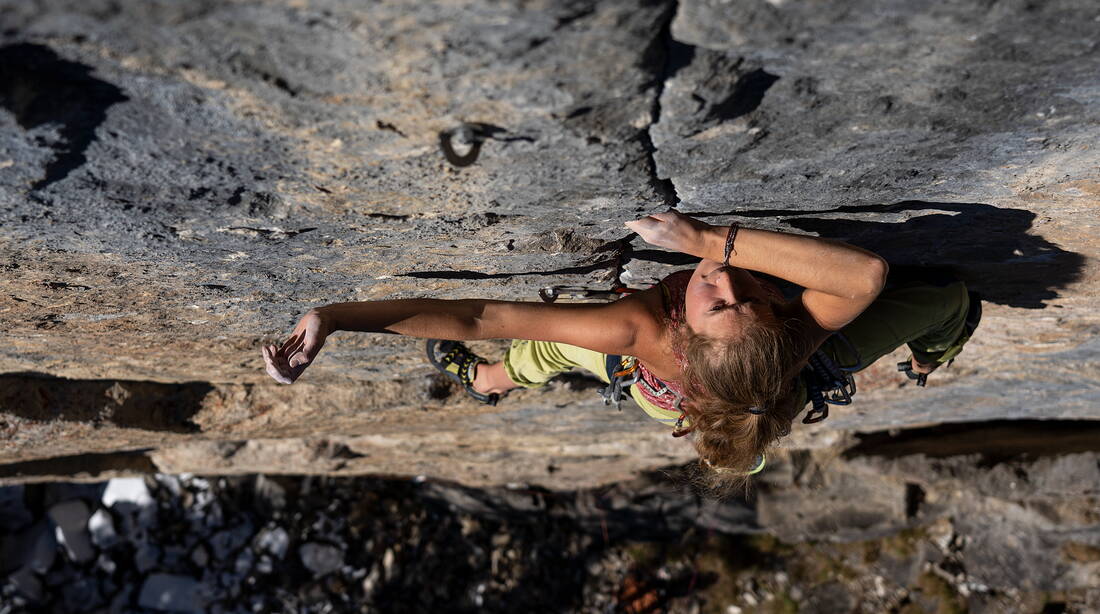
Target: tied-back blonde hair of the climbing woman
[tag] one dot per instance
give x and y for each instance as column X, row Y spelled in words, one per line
column 741, row 397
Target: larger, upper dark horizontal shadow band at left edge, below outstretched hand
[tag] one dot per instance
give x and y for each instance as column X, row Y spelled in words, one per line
column 146, row 405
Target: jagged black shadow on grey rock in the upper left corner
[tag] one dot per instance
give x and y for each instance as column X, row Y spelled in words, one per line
column 41, row 89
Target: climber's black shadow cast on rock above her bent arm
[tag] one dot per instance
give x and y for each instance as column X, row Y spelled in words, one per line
column 991, row 247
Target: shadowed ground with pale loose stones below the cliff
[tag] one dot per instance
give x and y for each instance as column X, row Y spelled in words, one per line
column 190, row 544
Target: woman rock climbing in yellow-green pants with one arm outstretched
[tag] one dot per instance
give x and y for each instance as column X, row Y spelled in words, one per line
column 718, row 353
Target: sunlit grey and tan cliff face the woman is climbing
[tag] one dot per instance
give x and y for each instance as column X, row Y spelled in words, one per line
column 180, row 182
